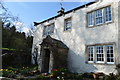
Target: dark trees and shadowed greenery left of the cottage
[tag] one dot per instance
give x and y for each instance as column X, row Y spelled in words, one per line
column 16, row 47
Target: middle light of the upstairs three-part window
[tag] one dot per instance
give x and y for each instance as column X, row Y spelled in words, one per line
column 98, row 17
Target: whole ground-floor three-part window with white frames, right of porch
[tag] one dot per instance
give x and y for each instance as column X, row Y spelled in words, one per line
column 100, row 54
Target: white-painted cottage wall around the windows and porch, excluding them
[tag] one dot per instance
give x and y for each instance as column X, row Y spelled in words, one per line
column 80, row 35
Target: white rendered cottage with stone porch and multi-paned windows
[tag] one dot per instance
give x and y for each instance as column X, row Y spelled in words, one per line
column 90, row 35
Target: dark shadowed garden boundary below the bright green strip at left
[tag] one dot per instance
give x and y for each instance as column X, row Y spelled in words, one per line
column 12, row 58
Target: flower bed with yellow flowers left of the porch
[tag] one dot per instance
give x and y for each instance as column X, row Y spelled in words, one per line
column 12, row 72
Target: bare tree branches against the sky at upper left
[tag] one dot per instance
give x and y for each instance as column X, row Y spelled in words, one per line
column 7, row 18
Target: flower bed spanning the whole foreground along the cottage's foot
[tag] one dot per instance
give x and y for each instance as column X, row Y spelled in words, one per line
column 62, row 74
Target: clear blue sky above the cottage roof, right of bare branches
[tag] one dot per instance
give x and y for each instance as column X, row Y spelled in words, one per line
column 29, row 12
